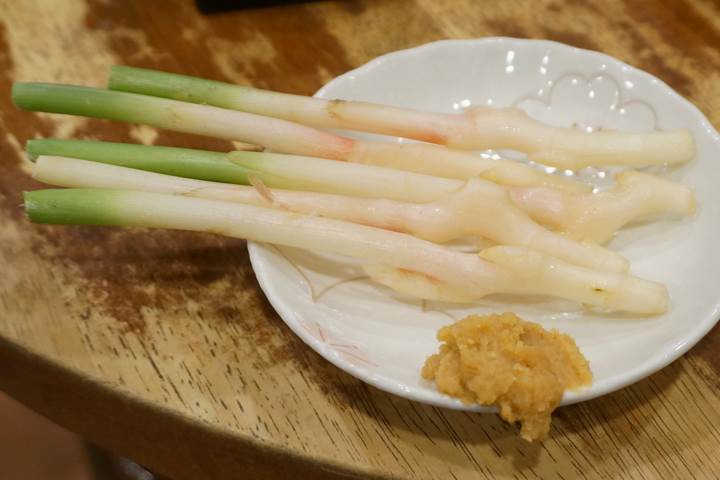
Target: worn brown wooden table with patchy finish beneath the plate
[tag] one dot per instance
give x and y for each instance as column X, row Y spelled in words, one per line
column 162, row 347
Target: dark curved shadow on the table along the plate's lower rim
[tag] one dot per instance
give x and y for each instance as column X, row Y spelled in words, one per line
column 590, row 432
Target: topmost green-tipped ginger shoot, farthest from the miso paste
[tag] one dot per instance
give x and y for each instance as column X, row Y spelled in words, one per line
column 478, row 128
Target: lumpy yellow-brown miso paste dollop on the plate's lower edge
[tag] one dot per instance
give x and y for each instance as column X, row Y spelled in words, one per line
column 505, row 361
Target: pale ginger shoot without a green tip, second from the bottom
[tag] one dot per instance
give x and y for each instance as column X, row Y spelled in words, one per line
column 474, row 211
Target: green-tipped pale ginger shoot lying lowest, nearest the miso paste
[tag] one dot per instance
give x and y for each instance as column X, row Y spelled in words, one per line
column 466, row 276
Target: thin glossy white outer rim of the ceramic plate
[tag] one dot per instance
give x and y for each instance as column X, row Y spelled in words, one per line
column 438, row 399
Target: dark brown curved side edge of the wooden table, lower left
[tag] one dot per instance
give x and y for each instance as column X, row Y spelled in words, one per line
column 128, row 417
